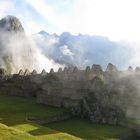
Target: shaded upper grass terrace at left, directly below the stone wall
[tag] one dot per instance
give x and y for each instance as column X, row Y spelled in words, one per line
column 15, row 110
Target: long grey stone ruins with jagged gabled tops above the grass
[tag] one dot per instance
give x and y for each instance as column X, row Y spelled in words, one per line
column 98, row 95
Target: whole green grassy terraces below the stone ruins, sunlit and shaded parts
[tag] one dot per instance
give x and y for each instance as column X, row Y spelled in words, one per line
column 14, row 110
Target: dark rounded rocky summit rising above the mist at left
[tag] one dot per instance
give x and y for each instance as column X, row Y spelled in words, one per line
column 11, row 23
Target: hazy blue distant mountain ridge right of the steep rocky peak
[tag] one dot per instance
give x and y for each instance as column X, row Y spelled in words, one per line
column 82, row 50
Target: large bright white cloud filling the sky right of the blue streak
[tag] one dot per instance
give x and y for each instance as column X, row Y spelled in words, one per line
column 113, row 19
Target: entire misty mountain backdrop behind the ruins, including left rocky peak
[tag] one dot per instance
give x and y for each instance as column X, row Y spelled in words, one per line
column 45, row 50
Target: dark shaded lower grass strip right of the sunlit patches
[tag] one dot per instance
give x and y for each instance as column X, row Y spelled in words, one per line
column 87, row 130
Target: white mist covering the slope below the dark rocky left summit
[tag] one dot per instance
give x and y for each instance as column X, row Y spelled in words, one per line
column 17, row 51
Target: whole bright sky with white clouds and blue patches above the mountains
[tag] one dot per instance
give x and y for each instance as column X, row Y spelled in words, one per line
column 119, row 20
